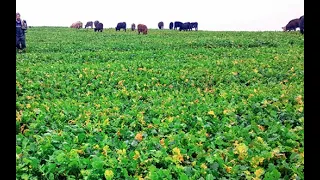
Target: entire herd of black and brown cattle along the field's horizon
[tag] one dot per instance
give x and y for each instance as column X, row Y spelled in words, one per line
column 187, row 26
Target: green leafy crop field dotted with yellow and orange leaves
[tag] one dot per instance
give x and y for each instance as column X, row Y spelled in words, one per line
column 167, row 105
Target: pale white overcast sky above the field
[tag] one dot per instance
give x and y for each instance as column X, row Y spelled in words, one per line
column 229, row 15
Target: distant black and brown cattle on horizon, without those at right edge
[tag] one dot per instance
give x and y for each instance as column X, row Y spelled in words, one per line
column 98, row 26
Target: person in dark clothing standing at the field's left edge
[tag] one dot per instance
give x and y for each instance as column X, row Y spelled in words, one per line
column 21, row 27
